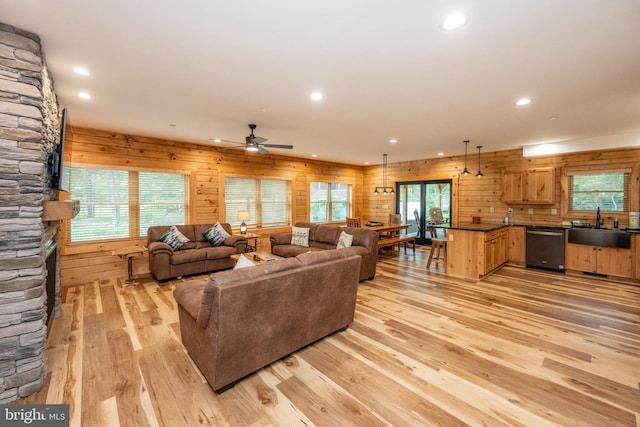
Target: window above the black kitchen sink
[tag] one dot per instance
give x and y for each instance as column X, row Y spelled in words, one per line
column 607, row 190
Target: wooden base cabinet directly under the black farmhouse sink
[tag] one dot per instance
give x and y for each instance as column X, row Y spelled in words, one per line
column 600, row 260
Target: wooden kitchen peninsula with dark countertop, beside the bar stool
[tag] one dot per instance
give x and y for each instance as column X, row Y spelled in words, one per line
column 475, row 250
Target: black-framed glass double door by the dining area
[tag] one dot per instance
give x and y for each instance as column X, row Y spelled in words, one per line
column 422, row 204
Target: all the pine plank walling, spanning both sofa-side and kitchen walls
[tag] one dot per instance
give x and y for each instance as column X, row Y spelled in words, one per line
column 208, row 165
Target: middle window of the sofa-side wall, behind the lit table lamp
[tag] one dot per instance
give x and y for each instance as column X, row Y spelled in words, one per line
column 267, row 200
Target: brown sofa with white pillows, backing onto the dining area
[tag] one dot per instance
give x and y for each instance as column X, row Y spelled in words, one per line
column 323, row 237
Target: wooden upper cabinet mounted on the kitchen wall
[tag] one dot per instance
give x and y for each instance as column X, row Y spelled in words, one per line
column 534, row 185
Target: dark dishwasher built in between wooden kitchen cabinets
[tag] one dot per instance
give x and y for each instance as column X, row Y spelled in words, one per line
column 545, row 247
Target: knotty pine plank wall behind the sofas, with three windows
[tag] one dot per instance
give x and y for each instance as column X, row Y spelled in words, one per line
column 207, row 166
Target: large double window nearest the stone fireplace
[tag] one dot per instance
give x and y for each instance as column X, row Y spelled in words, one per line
column 124, row 204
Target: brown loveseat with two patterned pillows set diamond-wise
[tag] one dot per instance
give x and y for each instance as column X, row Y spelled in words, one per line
column 196, row 256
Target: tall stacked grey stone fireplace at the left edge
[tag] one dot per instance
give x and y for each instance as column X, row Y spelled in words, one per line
column 29, row 131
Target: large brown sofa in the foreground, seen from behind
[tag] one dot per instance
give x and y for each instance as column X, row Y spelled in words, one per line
column 239, row 321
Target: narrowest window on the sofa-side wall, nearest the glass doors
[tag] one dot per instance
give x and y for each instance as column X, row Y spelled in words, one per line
column 329, row 201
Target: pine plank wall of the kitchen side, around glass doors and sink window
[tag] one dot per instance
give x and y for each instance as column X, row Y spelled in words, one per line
column 474, row 196
